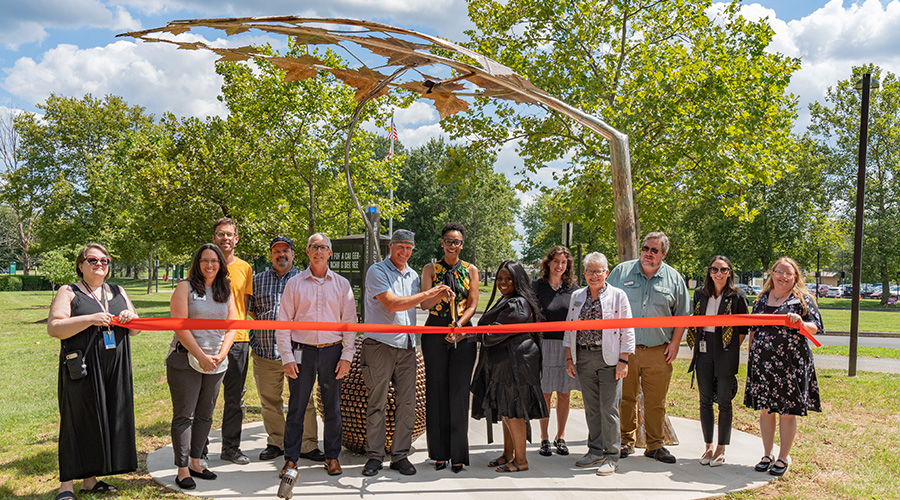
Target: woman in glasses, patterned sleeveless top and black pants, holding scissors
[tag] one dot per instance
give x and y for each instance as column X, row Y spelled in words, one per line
column 449, row 359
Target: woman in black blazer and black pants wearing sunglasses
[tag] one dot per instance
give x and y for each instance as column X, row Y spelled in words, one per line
column 717, row 353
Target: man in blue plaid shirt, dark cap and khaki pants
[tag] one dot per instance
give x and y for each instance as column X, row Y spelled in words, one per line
column 268, row 287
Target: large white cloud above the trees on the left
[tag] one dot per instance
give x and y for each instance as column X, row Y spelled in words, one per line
column 153, row 75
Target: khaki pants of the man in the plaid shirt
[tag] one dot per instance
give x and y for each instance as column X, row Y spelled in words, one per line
column 269, row 376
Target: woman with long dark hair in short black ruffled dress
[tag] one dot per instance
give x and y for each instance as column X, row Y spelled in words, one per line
column 507, row 380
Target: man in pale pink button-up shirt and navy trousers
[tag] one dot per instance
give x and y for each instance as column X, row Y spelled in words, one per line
column 316, row 294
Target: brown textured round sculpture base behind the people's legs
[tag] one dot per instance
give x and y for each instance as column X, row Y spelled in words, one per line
column 354, row 400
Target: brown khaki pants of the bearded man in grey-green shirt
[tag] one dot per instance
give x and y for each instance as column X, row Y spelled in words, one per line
column 647, row 372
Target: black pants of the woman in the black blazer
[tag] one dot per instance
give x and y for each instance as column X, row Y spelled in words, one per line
column 714, row 389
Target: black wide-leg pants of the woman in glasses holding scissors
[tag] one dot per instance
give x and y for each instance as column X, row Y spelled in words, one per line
column 448, row 376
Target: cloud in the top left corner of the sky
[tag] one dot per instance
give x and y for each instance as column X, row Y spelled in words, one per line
column 27, row 21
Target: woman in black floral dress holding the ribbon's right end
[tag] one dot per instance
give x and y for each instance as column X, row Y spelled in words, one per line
column 781, row 376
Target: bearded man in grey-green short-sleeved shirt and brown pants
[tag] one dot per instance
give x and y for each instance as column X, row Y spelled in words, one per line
column 654, row 289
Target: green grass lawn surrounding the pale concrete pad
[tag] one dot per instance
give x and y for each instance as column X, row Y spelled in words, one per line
column 847, row 451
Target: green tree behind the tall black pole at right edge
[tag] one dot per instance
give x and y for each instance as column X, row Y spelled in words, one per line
column 835, row 127
